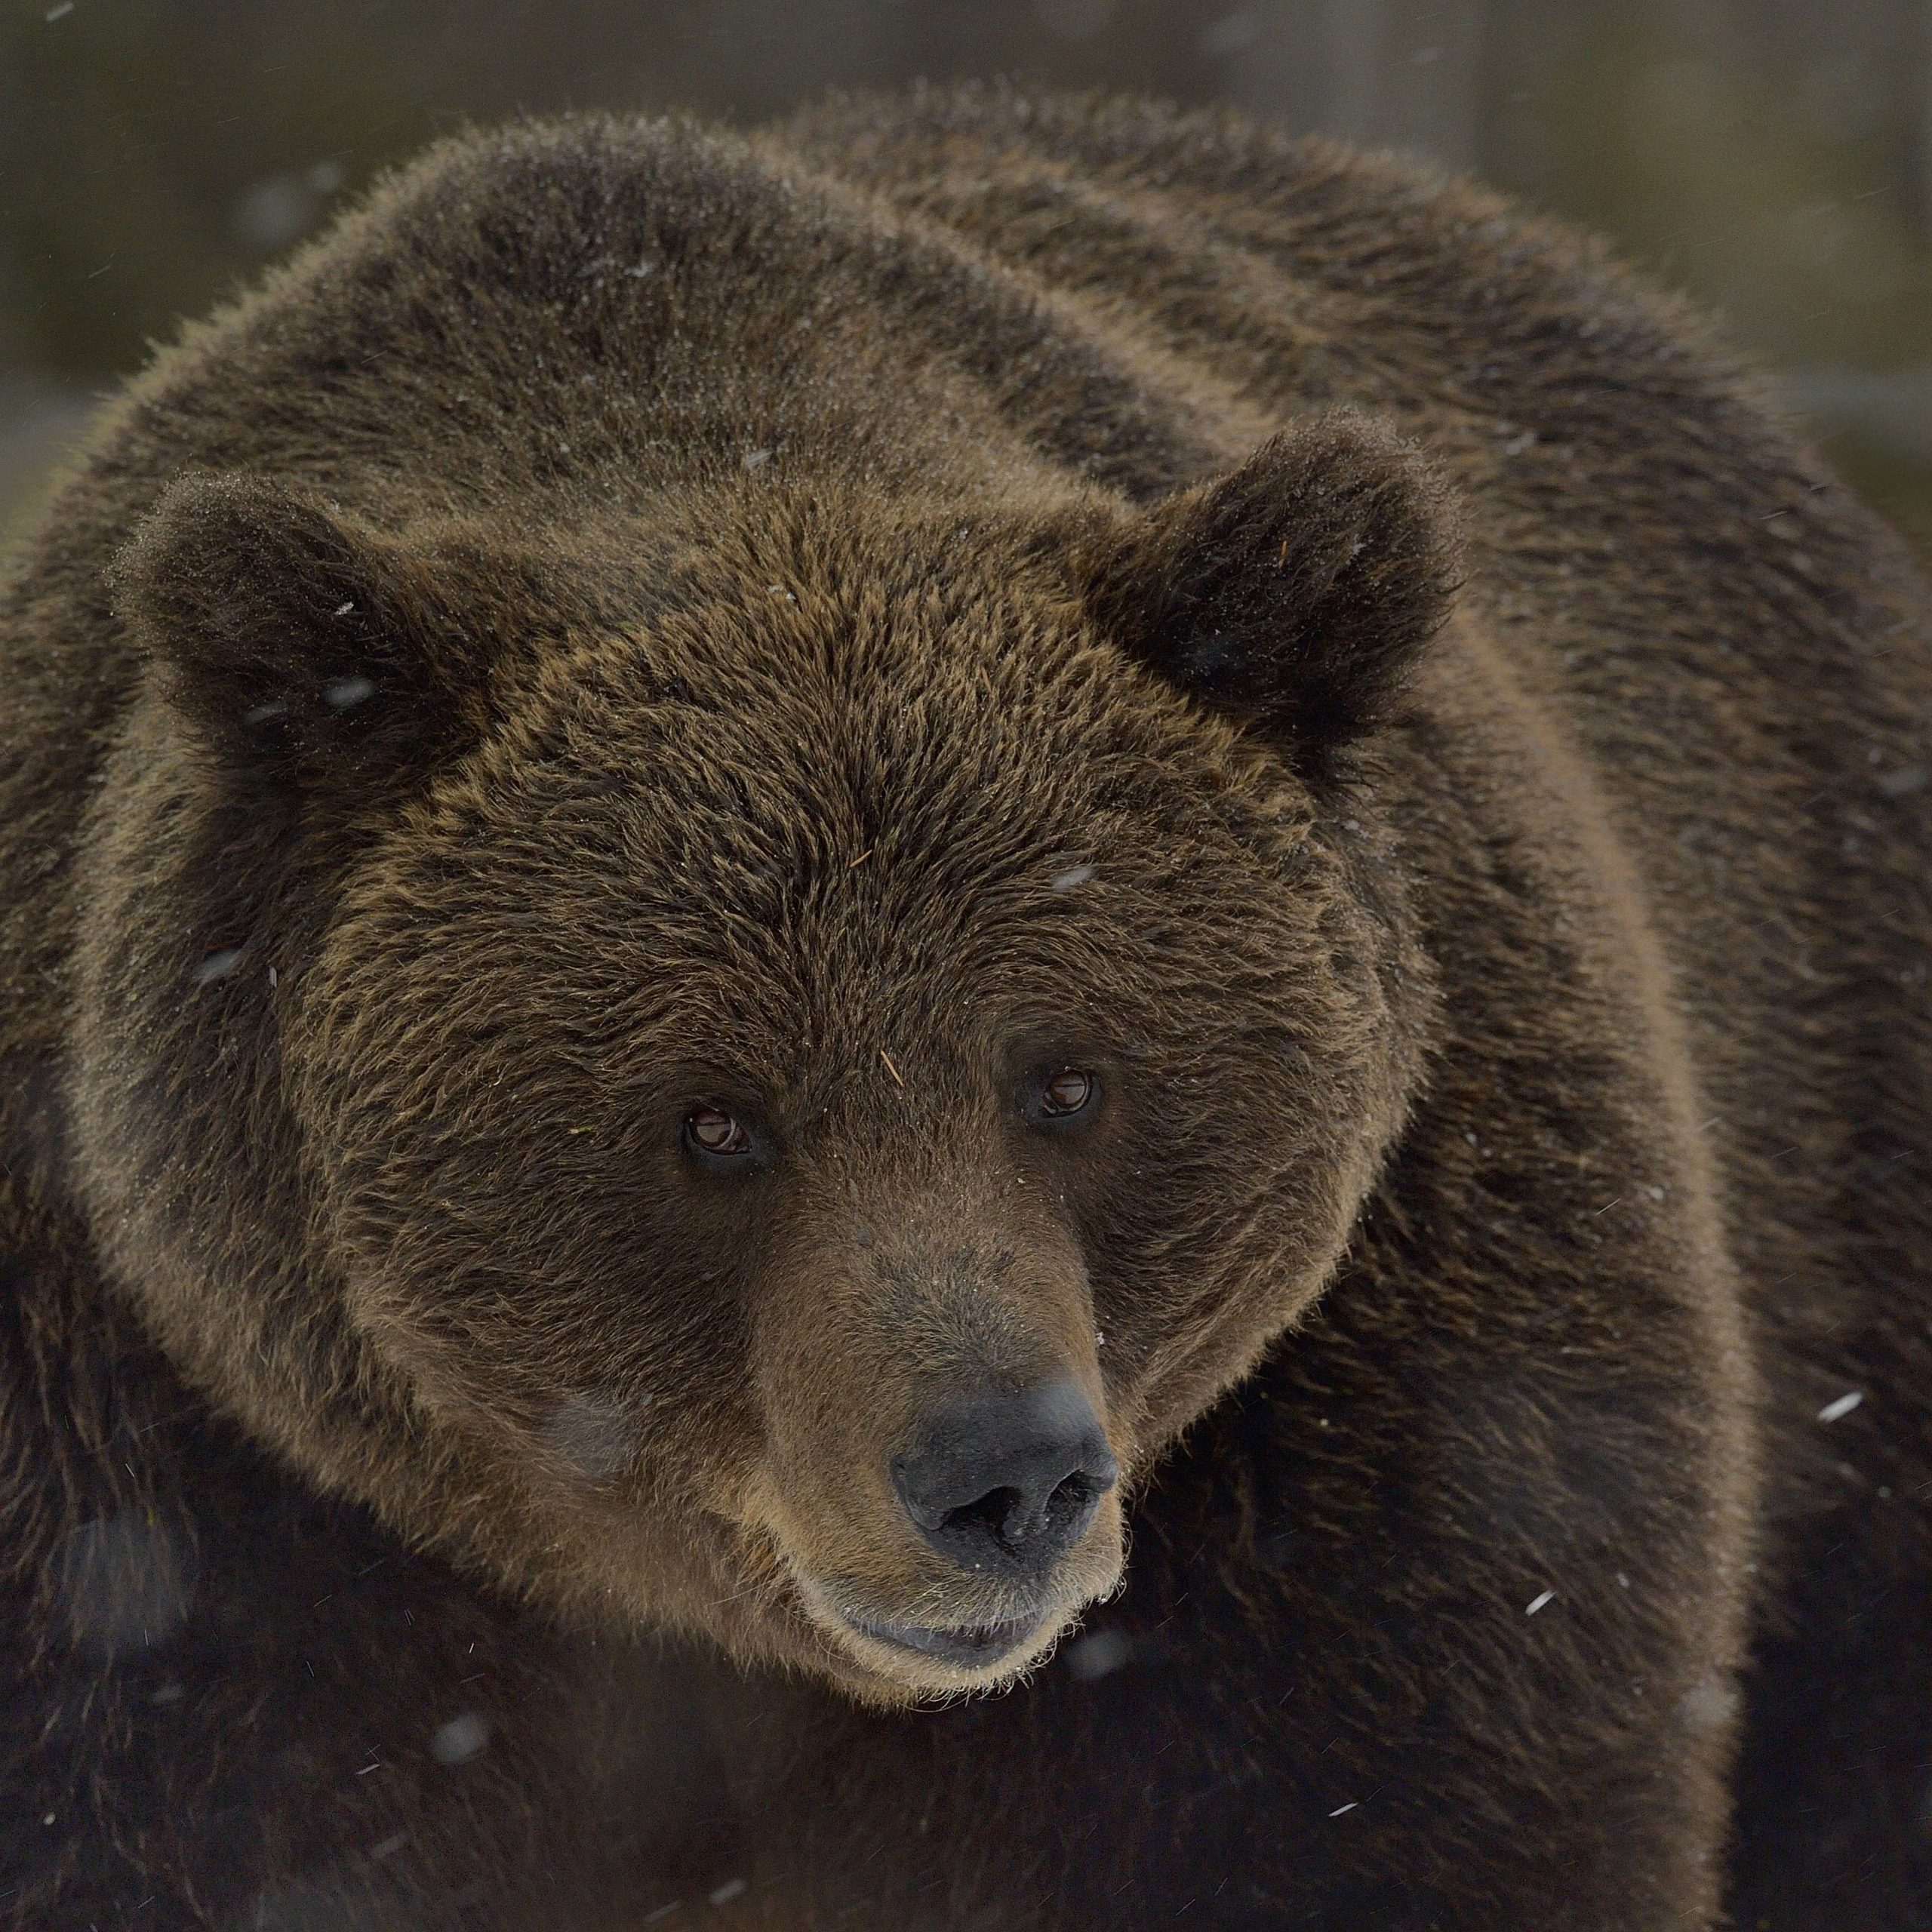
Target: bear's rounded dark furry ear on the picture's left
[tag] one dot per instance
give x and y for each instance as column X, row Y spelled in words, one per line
column 300, row 642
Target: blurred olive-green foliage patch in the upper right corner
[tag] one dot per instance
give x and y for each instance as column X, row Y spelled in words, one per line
column 1775, row 177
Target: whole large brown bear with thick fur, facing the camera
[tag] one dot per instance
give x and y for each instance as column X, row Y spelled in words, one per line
column 1000, row 1015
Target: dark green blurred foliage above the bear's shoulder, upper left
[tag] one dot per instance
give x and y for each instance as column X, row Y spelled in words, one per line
column 156, row 150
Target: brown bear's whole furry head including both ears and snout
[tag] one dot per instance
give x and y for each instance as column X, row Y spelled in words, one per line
column 776, row 1100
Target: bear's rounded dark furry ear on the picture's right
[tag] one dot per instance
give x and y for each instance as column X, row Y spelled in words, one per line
column 1295, row 592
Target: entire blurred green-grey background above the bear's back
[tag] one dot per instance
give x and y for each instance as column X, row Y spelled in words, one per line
column 1771, row 157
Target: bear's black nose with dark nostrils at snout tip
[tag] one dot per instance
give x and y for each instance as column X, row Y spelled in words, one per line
column 1008, row 1483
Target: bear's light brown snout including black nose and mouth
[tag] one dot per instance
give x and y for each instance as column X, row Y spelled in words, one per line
column 936, row 1462
